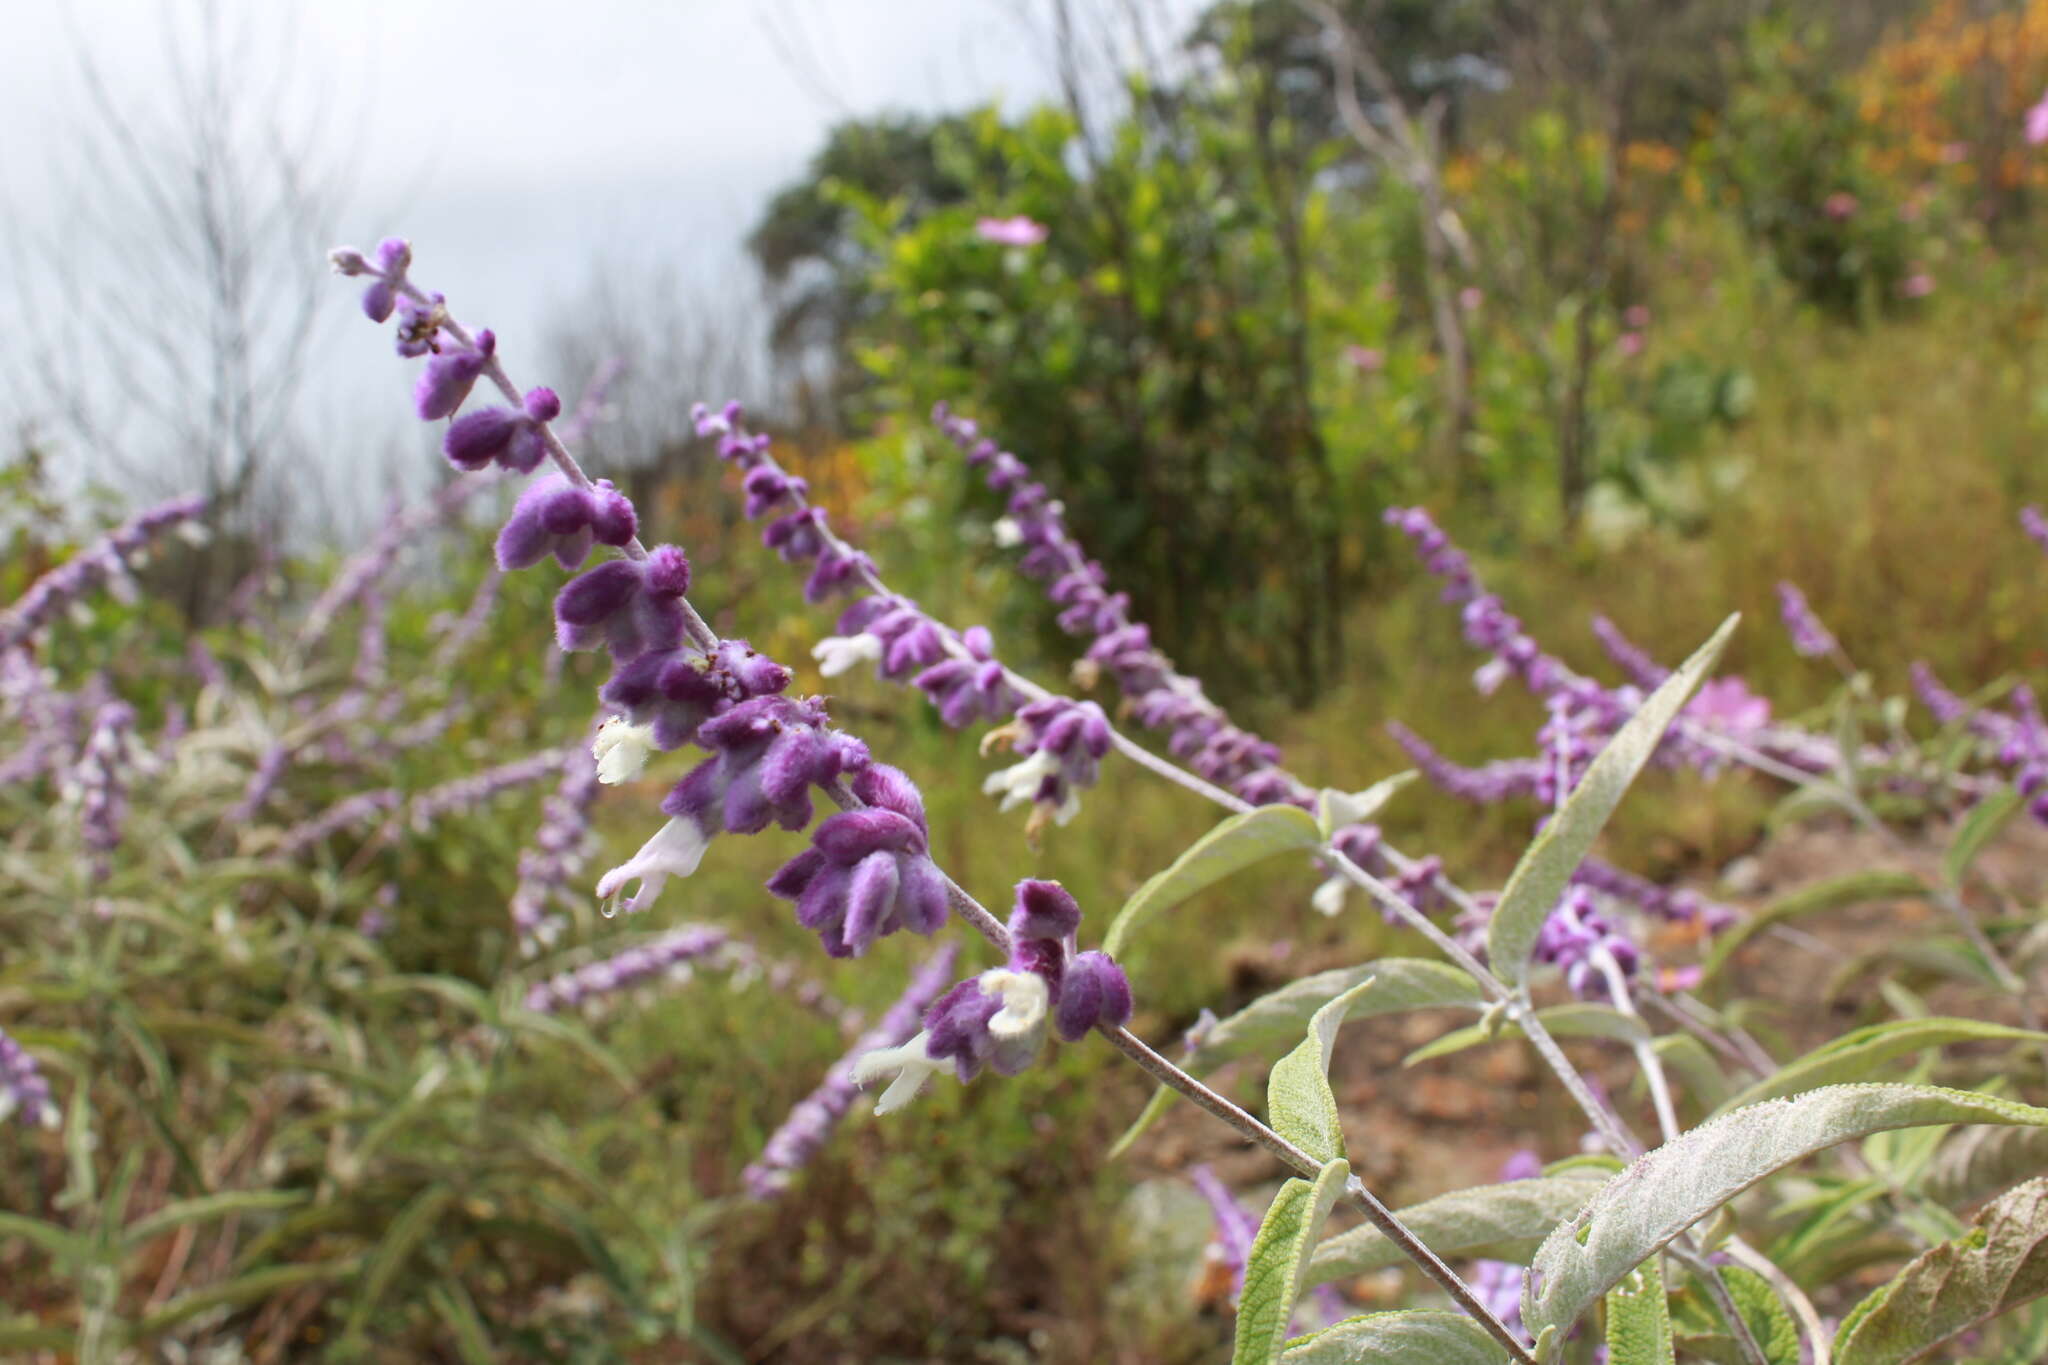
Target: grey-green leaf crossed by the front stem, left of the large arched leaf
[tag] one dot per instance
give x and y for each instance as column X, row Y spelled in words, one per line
column 1502, row 1223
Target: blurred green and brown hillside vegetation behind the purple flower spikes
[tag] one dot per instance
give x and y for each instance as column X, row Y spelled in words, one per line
column 1654, row 304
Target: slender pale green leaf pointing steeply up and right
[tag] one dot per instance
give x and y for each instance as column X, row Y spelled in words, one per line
column 1547, row 867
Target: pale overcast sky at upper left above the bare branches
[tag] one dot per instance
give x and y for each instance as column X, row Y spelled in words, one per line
column 525, row 142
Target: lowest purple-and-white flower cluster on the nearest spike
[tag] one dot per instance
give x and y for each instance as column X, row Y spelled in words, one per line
column 1000, row 1018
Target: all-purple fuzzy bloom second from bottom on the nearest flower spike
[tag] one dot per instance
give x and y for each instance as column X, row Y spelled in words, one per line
column 867, row 873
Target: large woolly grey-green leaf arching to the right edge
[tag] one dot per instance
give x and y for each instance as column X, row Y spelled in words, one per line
column 1676, row 1186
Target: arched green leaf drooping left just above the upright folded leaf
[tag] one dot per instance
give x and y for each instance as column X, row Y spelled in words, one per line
column 1281, row 1016
